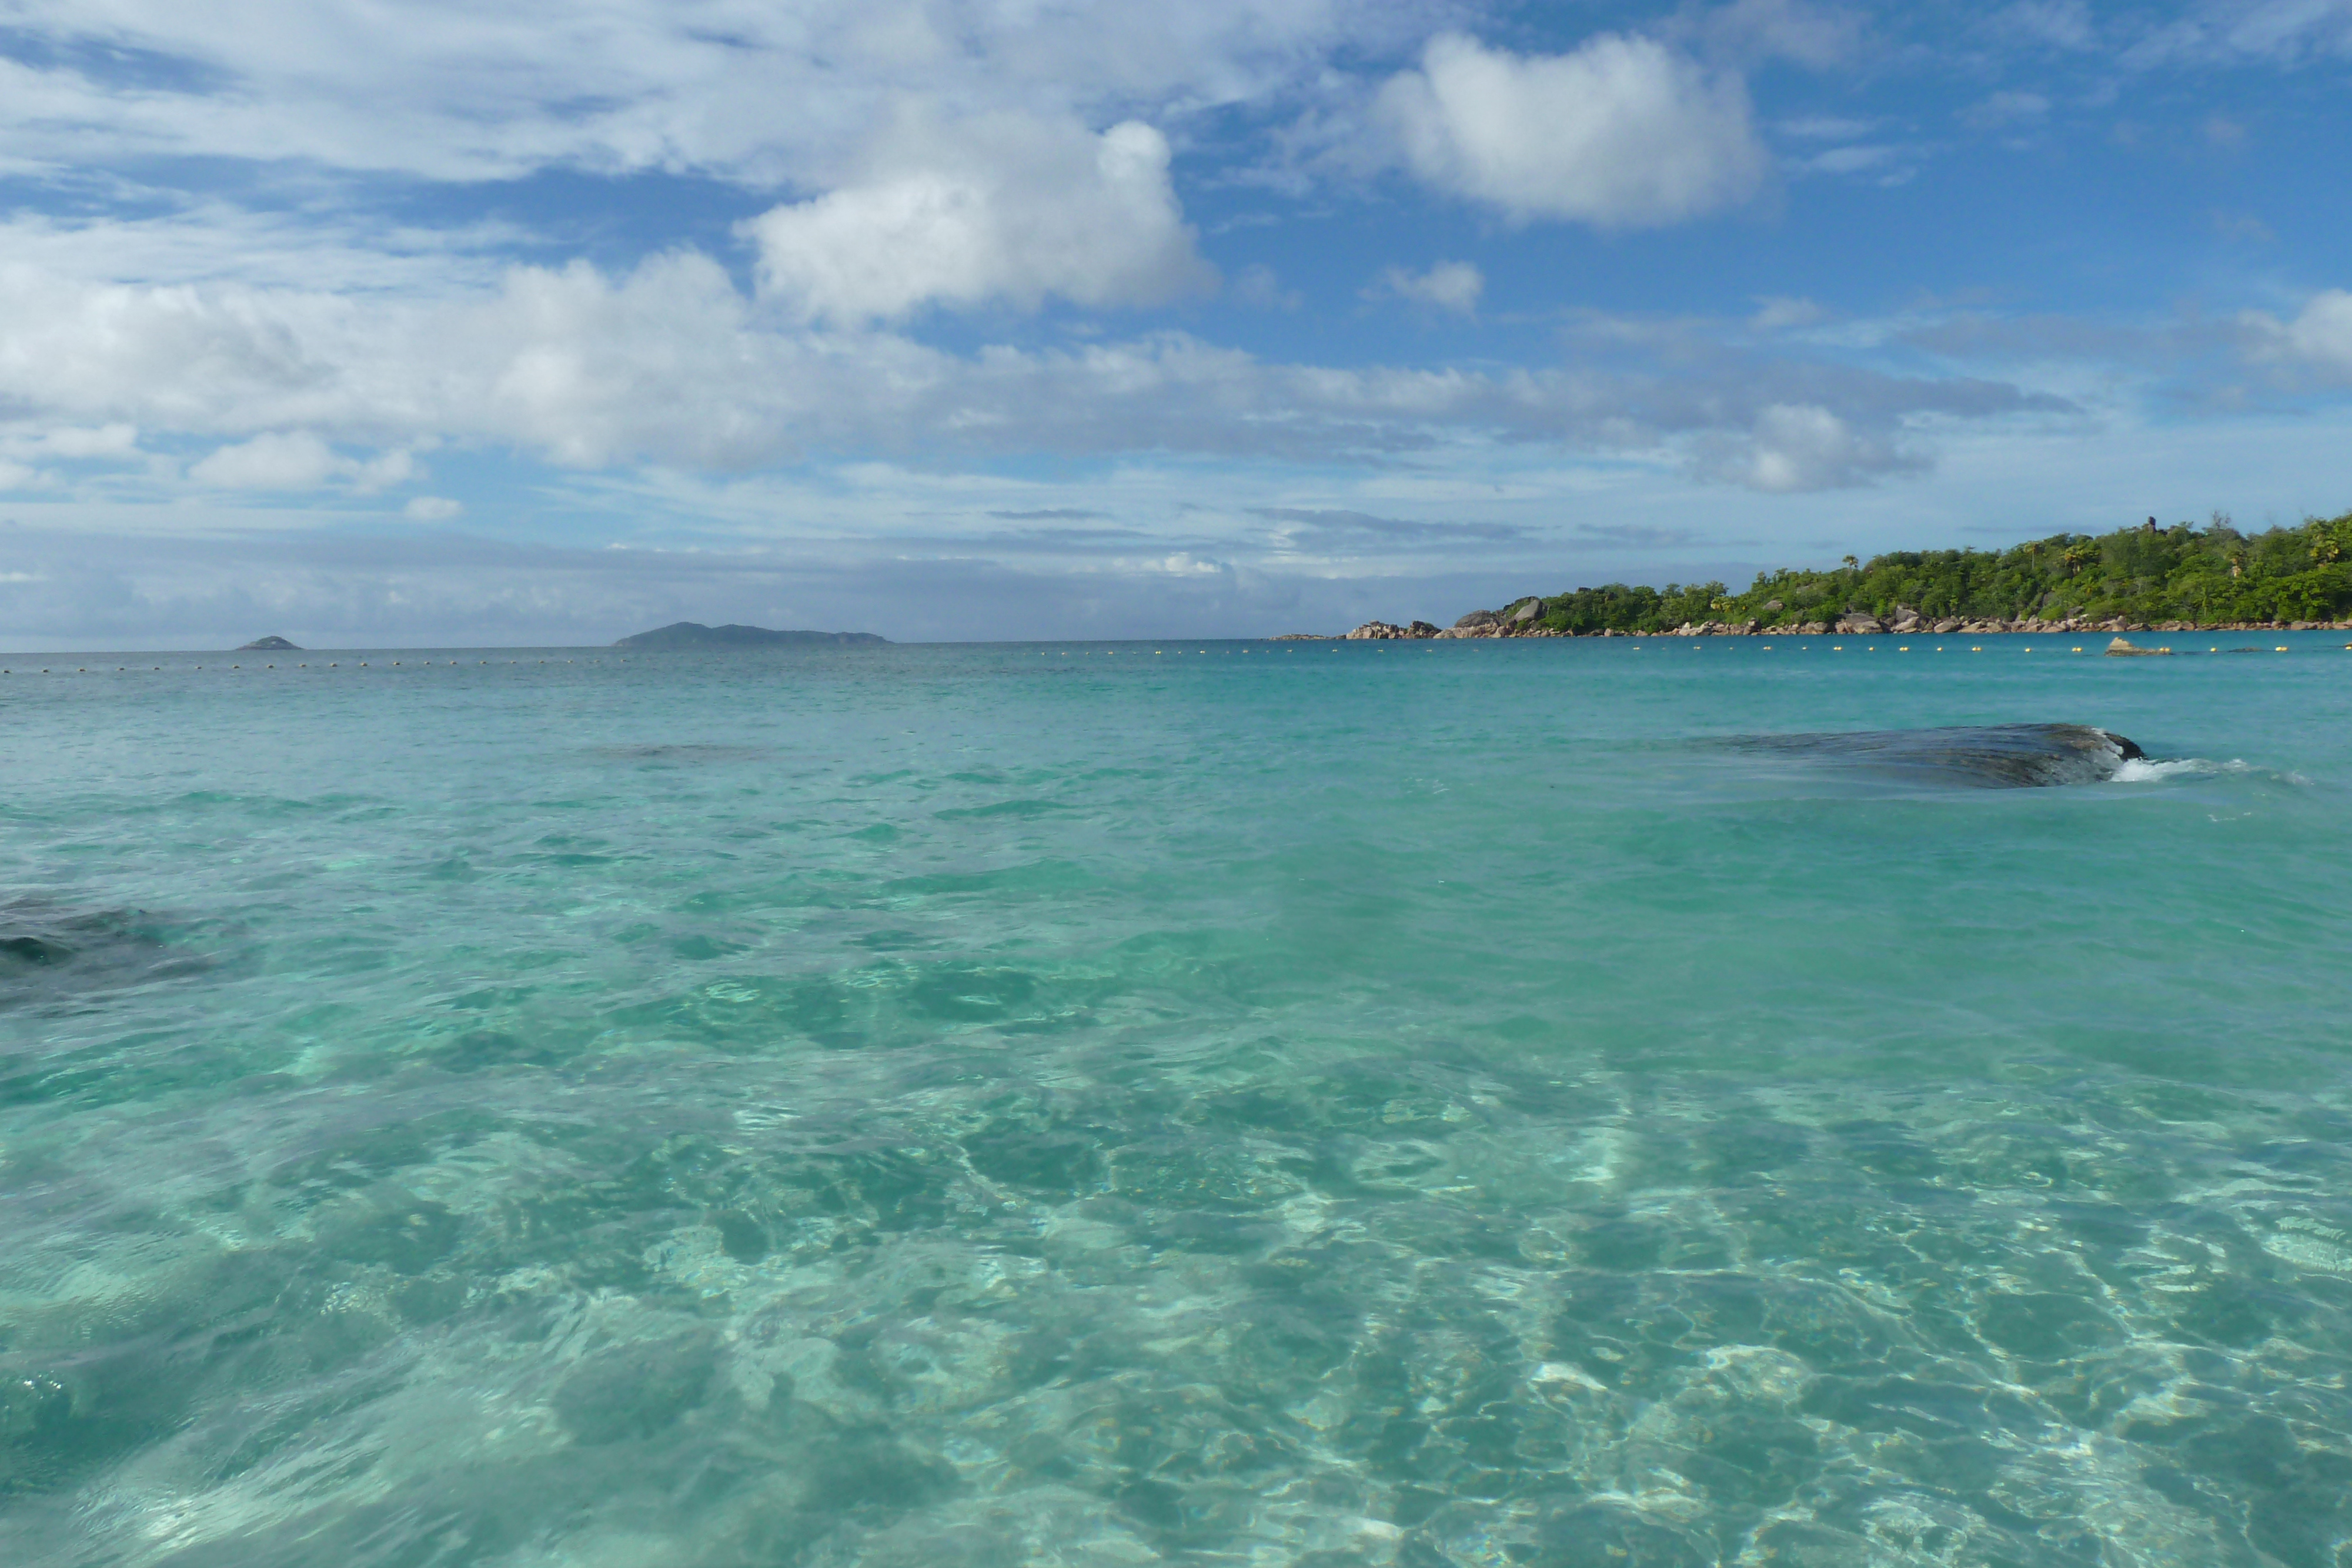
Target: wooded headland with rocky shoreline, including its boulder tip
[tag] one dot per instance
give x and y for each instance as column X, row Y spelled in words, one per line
column 2144, row 579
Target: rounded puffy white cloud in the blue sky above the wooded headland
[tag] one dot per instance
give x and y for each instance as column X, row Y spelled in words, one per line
column 1624, row 133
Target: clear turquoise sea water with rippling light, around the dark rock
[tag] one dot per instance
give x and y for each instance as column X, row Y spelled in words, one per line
column 1285, row 1106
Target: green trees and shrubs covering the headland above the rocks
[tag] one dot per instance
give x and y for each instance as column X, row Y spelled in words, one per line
column 2146, row 577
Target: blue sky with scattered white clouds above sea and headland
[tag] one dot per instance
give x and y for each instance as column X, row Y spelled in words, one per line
column 417, row 323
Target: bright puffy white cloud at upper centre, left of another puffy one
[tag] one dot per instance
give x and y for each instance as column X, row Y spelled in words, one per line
column 1005, row 208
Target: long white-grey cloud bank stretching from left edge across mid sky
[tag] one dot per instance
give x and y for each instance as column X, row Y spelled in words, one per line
column 674, row 366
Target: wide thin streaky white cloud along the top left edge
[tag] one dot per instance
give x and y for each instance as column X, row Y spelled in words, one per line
column 749, row 93
